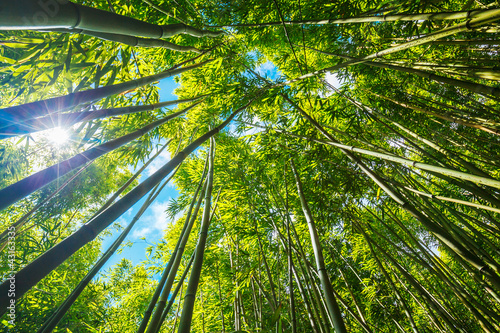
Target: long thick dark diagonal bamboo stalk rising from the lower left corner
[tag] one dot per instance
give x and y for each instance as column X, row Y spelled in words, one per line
column 31, row 274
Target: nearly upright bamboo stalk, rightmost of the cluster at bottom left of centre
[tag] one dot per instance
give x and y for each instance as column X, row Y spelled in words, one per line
column 189, row 298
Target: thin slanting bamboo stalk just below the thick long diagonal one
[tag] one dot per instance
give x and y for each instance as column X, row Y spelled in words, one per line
column 53, row 320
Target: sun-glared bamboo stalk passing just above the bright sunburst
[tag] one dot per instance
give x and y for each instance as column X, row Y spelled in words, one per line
column 69, row 119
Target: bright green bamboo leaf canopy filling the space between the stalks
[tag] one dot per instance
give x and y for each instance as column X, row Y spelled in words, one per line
column 389, row 270
